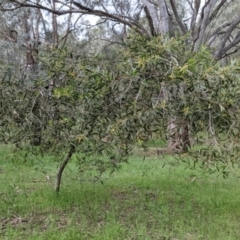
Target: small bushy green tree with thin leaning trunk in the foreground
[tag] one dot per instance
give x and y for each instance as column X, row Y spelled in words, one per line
column 101, row 108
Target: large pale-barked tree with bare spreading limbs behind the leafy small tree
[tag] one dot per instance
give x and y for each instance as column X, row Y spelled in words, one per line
column 195, row 18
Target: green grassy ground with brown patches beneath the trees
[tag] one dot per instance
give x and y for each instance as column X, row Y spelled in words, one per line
column 142, row 201
